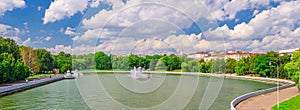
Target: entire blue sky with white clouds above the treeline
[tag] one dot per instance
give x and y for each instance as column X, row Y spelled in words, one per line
column 150, row 26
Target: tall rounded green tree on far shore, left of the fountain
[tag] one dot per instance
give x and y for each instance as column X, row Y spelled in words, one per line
column 103, row 61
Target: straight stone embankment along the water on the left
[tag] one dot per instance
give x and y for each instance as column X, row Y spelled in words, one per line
column 18, row 86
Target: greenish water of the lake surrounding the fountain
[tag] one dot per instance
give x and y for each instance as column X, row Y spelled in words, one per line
column 118, row 91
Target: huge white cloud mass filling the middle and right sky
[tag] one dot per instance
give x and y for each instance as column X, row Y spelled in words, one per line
column 128, row 31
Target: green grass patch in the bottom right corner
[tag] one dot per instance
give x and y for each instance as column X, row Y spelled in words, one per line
column 291, row 104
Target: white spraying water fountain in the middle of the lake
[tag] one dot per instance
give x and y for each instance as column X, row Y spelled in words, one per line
column 137, row 73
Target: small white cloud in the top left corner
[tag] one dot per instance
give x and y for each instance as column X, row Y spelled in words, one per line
column 9, row 5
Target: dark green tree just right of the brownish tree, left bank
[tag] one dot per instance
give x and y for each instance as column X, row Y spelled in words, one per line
column 45, row 60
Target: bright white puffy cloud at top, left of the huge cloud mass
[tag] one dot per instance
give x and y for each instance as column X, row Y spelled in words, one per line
column 60, row 9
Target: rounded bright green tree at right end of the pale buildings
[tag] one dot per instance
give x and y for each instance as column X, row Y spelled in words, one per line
column 241, row 66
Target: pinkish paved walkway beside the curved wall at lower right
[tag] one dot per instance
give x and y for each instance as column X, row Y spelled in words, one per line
column 267, row 101
